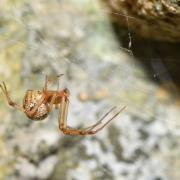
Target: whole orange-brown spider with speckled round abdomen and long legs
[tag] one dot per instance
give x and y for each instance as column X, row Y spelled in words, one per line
column 37, row 104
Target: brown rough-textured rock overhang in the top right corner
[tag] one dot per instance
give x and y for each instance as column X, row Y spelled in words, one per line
column 154, row 19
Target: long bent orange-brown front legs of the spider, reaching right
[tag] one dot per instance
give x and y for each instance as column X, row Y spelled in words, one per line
column 86, row 131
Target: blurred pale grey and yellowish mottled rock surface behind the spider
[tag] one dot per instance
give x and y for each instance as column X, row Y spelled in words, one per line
column 76, row 37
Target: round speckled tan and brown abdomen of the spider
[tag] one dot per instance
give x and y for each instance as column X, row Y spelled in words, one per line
column 32, row 97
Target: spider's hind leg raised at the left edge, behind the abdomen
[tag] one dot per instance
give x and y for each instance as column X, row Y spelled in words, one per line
column 10, row 102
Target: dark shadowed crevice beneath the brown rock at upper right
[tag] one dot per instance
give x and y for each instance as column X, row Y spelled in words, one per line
column 161, row 60
